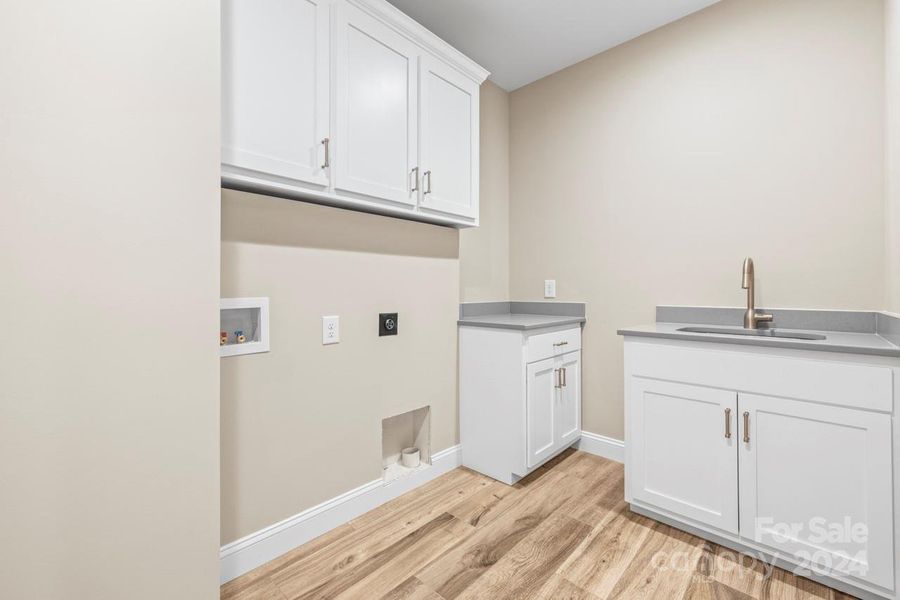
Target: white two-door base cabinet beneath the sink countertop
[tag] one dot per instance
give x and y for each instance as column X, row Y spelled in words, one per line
column 788, row 453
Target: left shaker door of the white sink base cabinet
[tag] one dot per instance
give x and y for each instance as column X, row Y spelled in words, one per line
column 683, row 441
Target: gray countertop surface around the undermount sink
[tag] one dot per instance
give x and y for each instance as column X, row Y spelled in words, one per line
column 852, row 342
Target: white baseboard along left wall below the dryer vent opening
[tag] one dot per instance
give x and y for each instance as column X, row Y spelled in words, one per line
column 258, row 548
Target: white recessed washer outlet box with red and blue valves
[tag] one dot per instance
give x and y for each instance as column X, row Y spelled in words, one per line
column 243, row 326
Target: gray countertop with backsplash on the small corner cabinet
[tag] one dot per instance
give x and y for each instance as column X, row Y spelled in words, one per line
column 523, row 316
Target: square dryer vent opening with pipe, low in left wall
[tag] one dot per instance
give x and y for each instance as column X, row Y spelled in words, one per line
column 406, row 443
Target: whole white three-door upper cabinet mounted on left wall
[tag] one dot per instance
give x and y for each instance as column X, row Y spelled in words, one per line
column 349, row 103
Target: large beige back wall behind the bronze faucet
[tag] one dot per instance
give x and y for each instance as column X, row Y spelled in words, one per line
column 644, row 175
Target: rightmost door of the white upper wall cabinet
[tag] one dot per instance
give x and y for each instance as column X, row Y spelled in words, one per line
column 449, row 139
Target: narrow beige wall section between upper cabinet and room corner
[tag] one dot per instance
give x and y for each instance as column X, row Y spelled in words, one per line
column 484, row 250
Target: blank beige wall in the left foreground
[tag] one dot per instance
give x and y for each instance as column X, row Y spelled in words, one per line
column 110, row 225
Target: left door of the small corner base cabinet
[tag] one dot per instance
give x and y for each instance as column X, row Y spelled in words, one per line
column 540, row 416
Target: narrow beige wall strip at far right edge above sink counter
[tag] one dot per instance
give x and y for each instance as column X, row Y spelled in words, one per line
column 892, row 151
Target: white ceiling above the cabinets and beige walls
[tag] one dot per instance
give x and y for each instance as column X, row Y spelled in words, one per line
column 520, row 41
